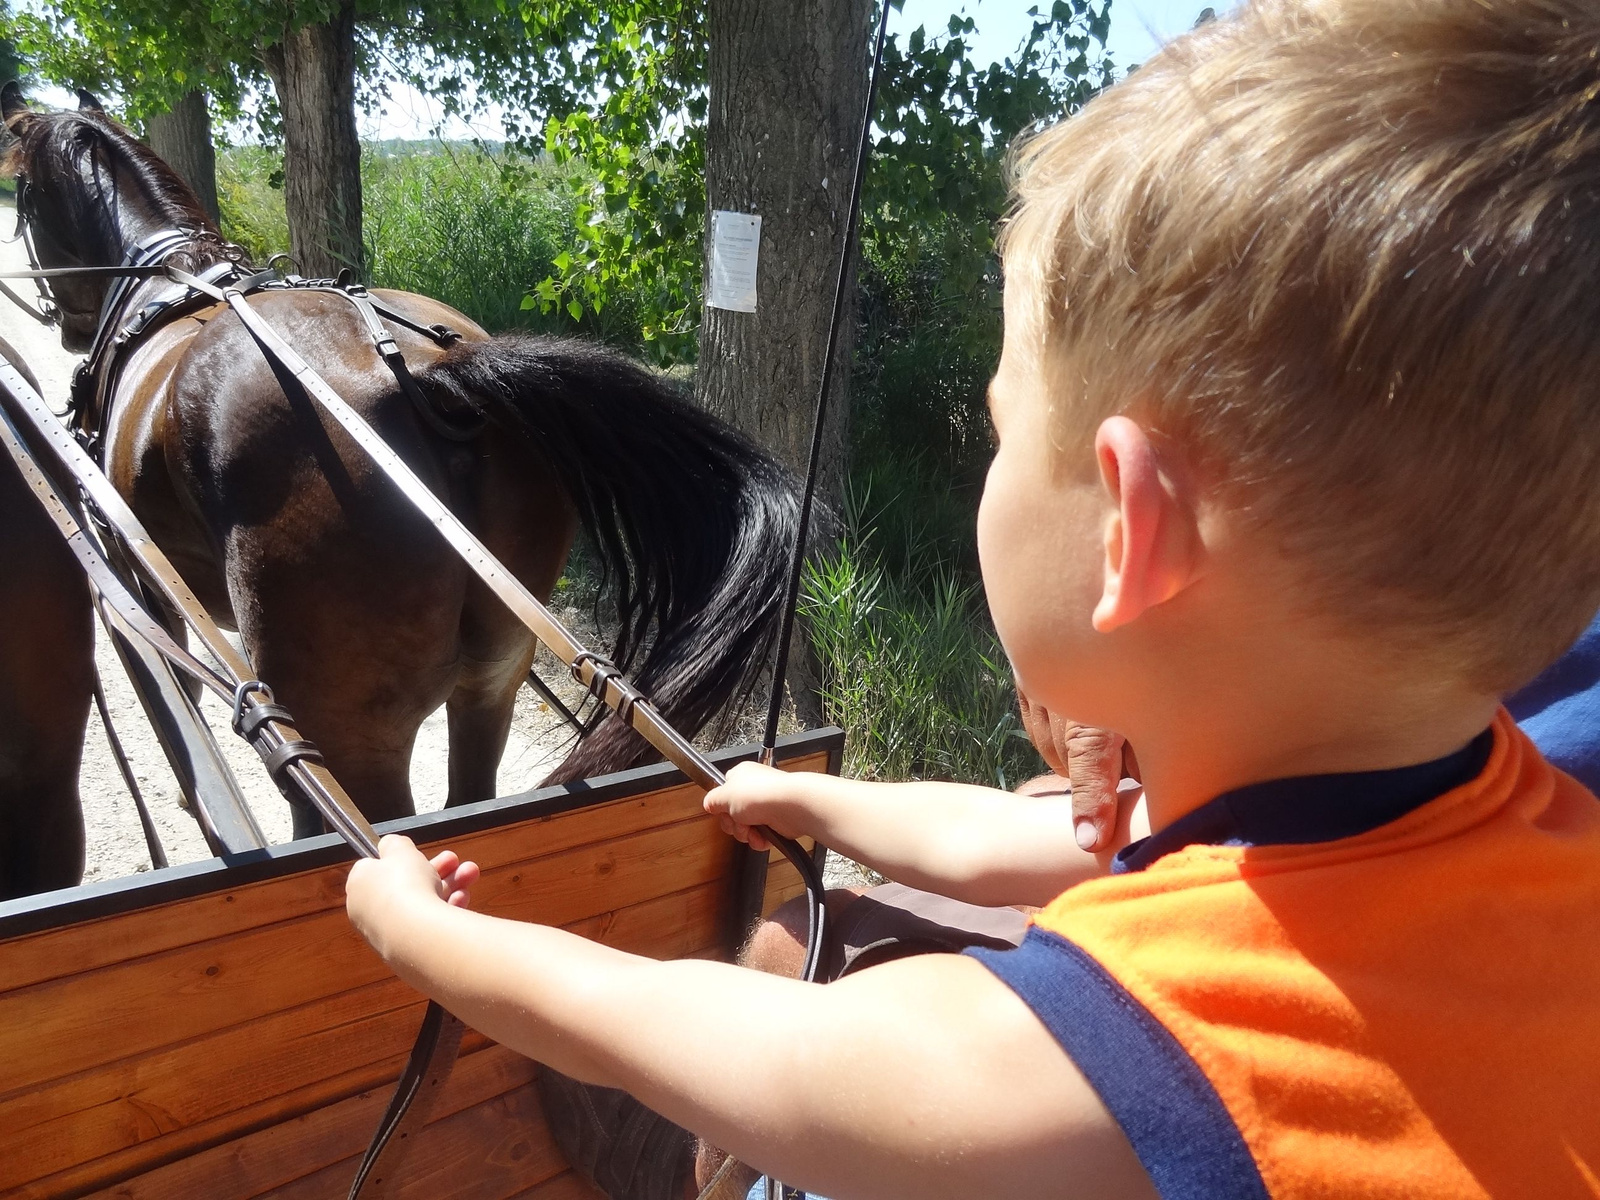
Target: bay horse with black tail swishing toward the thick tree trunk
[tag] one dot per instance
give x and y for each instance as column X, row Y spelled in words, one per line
column 350, row 604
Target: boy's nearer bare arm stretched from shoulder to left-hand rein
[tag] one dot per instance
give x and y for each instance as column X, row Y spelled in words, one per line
column 927, row 1078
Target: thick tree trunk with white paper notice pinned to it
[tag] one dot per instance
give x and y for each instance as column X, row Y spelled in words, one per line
column 788, row 84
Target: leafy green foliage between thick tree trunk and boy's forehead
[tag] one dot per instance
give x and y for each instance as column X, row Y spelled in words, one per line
column 930, row 318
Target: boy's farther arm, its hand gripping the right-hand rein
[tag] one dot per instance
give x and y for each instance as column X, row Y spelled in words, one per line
column 972, row 844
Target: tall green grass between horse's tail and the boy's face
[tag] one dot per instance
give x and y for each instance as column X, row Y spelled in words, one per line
column 911, row 668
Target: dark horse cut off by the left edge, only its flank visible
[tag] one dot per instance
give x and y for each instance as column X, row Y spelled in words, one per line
column 47, row 678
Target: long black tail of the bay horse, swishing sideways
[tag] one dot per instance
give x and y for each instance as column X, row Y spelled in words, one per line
column 694, row 521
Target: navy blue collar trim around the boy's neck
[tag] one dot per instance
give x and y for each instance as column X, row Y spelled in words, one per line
column 1311, row 809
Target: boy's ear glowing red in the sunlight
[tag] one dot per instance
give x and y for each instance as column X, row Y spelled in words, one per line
column 1151, row 537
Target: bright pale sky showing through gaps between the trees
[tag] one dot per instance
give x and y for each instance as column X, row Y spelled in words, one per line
column 1137, row 30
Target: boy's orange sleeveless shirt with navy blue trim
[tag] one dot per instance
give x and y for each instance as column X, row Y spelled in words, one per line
column 1378, row 985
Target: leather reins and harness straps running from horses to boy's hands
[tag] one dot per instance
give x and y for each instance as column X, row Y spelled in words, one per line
column 294, row 762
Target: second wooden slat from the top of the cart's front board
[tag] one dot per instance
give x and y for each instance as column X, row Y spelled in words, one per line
column 71, row 1025
